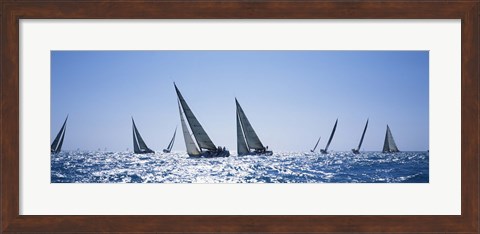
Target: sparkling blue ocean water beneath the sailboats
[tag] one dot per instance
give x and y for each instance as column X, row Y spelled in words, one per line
column 336, row 167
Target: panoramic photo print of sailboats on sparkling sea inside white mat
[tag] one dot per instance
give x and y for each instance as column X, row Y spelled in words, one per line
column 239, row 117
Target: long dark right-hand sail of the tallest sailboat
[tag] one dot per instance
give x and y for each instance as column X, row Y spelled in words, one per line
column 203, row 140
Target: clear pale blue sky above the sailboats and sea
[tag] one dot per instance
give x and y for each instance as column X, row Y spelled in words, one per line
column 290, row 97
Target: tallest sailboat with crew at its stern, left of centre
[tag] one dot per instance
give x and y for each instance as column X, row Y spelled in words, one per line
column 205, row 148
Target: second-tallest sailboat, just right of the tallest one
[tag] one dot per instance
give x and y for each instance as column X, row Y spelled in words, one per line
column 247, row 139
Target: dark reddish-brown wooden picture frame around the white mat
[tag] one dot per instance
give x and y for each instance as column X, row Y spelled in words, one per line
column 13, row 10
